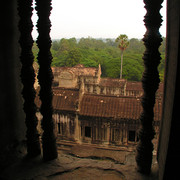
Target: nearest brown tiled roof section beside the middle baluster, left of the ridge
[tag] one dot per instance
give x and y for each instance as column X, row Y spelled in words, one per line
column 63, row 99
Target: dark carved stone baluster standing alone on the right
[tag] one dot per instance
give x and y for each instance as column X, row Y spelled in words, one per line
column 150, row 82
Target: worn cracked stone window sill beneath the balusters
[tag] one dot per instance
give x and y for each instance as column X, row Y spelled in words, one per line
column 67, row 166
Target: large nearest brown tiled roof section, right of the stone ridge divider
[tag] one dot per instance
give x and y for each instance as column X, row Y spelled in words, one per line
column 110, row 106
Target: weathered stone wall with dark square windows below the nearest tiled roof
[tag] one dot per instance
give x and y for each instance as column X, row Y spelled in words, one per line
column 95, row 130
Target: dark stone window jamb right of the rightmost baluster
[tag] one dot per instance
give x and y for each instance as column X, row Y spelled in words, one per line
column 169, row 148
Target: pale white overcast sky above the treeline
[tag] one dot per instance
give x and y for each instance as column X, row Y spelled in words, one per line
column 98, row 19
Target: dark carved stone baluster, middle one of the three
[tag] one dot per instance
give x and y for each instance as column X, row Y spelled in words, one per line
column 45, row 77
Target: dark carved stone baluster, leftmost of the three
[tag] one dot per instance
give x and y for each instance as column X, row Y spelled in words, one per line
column 28, row 76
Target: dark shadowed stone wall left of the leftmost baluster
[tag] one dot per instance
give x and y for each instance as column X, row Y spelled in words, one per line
column 12, row 128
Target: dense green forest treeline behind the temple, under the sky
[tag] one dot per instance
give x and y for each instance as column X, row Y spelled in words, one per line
column 91, row 52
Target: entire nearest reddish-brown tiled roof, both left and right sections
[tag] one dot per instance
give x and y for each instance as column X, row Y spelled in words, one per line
column 124, row 107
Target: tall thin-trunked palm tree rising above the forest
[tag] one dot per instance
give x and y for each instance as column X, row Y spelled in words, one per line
column 123, row 43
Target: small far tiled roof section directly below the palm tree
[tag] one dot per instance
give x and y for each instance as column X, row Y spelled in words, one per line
column 110, row 82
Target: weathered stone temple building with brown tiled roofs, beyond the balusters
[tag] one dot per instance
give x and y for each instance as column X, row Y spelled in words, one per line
column 91, row 109
